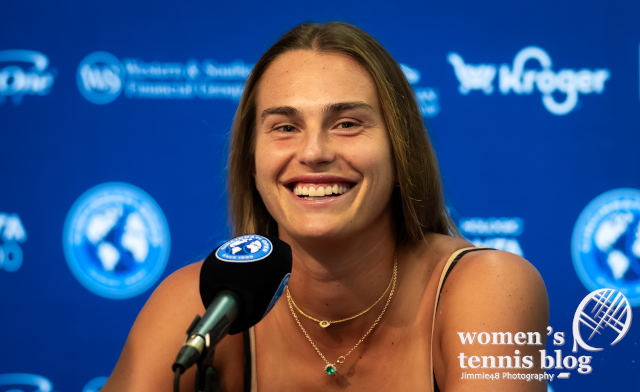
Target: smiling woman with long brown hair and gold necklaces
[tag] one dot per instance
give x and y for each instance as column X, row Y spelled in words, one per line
column 329, row 154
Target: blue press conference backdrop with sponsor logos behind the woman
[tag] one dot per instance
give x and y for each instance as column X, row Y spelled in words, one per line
column 115, row 122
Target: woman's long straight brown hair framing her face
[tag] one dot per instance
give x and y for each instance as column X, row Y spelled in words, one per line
column 417, row 202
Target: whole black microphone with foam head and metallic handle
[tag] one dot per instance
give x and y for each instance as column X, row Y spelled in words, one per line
column 239, row 283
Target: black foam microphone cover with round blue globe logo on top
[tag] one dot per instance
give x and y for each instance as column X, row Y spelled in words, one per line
column 254, row 268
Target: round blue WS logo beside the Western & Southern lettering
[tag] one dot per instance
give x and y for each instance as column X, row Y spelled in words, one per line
column 100, row 77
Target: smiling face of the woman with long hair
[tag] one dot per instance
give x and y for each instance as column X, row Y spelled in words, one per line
column 323, row 161
